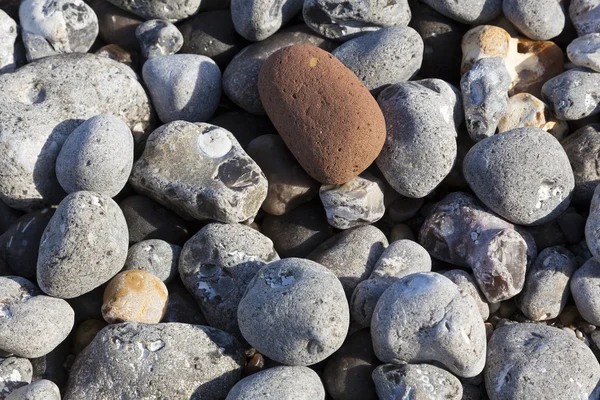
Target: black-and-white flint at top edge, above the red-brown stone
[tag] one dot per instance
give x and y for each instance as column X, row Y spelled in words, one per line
column 345, row 20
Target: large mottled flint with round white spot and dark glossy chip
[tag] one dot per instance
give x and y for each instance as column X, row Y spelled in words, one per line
column 200, row 171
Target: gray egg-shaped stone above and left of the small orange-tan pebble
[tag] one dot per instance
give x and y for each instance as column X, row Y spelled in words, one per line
column 84, row 245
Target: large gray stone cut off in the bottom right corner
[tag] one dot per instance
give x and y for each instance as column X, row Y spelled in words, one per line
column 527, row 361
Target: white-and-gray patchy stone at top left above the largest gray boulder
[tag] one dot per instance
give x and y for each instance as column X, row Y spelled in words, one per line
column 56, row 27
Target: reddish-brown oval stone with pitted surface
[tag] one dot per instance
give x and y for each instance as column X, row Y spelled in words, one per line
column 327, row 118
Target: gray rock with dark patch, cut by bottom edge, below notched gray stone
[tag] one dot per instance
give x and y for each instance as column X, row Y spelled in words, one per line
column 416, row 381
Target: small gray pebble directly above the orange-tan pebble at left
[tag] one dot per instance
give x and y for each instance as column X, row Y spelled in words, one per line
column 155, row 256
